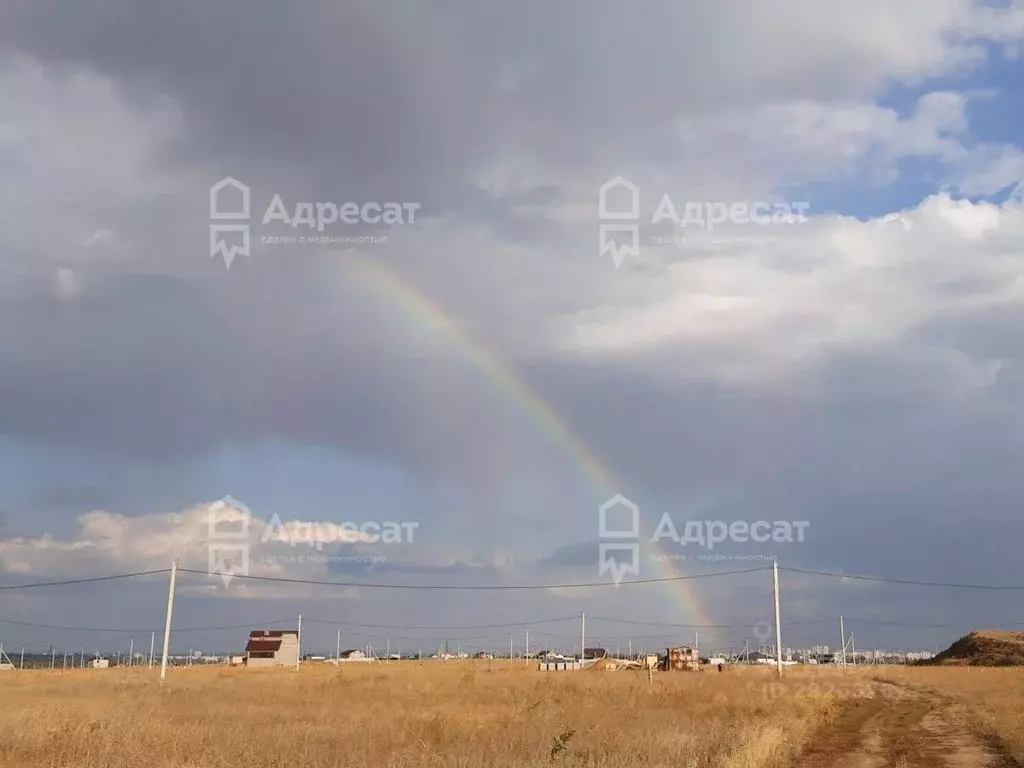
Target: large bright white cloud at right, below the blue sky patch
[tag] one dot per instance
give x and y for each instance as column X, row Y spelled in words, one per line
column 740, row 312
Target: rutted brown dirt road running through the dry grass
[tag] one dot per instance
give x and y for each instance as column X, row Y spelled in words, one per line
column 904, row 729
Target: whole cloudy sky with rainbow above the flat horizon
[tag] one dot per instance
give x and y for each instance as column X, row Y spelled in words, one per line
column 477, row 371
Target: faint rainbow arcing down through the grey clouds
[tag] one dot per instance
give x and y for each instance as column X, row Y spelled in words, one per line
column 420, row 310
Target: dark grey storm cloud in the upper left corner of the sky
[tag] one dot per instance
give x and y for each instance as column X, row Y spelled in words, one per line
column 317, row 89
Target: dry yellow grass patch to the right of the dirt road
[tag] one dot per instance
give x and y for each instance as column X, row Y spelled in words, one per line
column 994, row 698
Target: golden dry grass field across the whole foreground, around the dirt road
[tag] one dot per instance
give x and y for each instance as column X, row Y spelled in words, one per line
column 473, row 714
